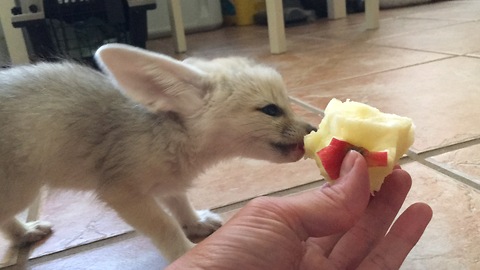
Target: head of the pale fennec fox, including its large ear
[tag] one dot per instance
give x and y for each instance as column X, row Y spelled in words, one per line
column 229, row 106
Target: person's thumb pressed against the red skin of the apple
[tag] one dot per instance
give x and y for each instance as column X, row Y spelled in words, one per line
column 335, row 207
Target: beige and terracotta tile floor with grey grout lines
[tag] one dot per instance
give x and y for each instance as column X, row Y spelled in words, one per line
column 423, row 62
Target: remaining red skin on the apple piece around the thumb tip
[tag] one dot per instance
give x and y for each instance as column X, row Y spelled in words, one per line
column 332, row 157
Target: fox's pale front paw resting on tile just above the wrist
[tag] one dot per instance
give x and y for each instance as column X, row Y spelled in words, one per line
column 207, row 223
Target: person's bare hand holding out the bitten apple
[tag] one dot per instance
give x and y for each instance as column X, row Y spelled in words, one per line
column 336, row 226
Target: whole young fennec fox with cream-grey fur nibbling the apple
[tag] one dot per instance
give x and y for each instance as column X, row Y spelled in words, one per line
column 137, row 134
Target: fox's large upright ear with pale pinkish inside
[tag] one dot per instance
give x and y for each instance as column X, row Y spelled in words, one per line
column 158, row 82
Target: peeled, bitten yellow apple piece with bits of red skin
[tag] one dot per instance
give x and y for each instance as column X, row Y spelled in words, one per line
column 381, row 138
